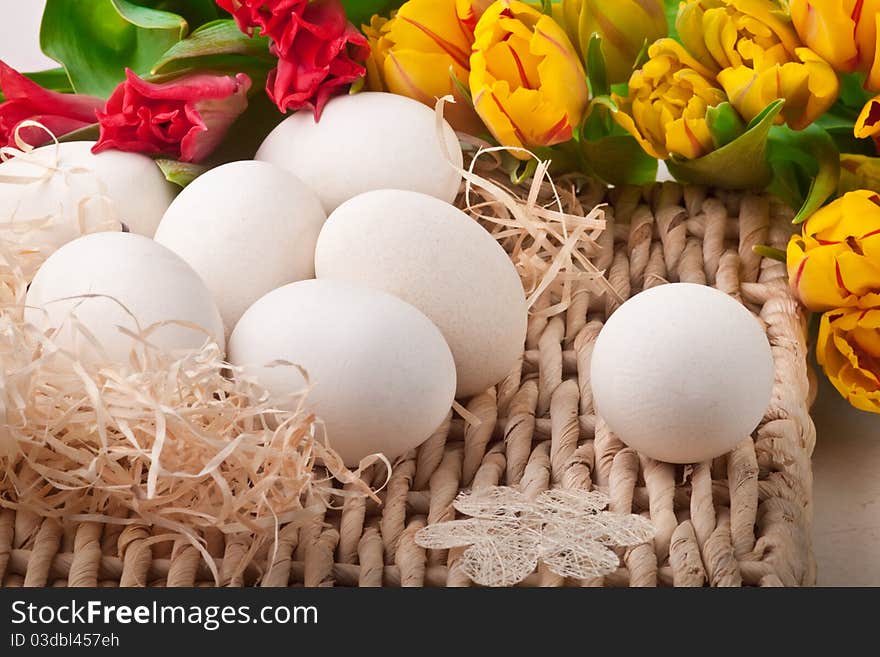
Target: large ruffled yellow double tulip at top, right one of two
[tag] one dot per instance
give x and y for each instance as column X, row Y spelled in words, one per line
column 758, row 58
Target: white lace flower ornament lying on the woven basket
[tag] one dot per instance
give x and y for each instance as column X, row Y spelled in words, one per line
column 507, row 534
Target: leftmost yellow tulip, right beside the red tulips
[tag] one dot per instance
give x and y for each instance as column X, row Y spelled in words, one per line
column 416, row 52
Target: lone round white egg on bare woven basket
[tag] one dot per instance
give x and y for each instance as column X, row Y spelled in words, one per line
column 682, row 373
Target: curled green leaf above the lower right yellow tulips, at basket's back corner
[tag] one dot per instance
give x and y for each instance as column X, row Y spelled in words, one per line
column 812, row 151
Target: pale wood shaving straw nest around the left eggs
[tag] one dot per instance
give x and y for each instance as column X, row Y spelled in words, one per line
column 168, row 439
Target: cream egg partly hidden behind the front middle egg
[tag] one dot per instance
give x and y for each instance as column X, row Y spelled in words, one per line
column 435, row 257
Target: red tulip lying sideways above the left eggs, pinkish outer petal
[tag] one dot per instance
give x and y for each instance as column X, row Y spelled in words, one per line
column 185, row 119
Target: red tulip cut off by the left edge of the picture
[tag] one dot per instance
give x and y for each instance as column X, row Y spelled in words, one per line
column 26, row 100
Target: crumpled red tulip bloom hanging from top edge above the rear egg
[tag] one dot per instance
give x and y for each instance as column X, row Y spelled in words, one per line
column 319, row 52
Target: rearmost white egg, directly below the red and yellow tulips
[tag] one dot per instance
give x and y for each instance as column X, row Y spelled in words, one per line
column 364, row 142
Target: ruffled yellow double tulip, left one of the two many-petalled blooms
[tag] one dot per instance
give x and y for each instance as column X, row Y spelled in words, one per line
column 667, row 103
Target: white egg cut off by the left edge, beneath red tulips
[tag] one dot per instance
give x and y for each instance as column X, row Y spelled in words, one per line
column 73, row 192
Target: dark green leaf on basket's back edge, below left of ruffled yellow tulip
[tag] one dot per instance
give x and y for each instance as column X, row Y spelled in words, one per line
column 619, row 160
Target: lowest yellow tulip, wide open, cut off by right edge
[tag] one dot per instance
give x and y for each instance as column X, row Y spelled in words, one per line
column 848, row 350
